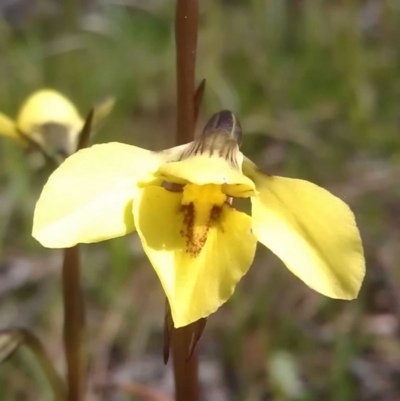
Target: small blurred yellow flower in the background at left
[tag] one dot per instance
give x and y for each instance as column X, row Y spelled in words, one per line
column 50, row 120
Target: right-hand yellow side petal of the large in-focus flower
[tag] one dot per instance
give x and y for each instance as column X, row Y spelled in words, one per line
column 313, row 232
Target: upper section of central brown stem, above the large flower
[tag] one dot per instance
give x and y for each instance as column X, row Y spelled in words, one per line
column 186, row 28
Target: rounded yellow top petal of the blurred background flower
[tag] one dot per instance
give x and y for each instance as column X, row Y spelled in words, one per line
column 47, row 106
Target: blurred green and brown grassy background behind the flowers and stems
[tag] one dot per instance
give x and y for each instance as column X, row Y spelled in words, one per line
column 316, row 86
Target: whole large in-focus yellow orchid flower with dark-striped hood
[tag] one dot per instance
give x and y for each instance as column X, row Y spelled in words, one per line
column 179, row 202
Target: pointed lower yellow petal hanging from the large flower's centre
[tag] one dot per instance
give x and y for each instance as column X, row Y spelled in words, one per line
column 196, row 281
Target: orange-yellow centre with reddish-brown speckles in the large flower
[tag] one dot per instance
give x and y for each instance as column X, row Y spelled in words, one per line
column 201, row 207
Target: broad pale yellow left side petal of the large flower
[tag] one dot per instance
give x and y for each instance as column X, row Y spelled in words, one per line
column 89, row 197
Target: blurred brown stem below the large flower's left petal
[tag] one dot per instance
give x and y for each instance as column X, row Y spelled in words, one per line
column 74, row 325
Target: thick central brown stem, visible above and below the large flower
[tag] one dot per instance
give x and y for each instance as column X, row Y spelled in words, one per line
column 186, row 28
